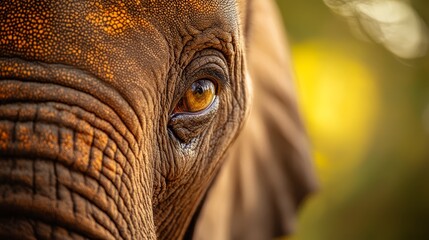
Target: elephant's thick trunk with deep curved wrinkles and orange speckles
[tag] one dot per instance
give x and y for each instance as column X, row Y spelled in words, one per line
column 66, row 168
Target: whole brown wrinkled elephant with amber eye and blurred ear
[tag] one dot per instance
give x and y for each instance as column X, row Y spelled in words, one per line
column 148, row 119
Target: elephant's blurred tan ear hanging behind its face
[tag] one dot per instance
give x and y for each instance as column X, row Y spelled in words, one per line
column 268, row 170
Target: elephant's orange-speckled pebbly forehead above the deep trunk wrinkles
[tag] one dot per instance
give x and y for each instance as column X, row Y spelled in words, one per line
column 100, row 35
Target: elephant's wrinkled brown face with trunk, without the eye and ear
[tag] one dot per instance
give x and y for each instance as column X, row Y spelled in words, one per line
column 88, row 144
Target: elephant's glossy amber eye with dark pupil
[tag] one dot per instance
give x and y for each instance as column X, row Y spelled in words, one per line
column 199, row 96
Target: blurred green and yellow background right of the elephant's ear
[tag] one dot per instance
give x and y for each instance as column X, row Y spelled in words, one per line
column 367, row 114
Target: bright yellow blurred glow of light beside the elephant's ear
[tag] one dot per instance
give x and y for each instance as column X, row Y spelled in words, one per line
column 338, row 98
